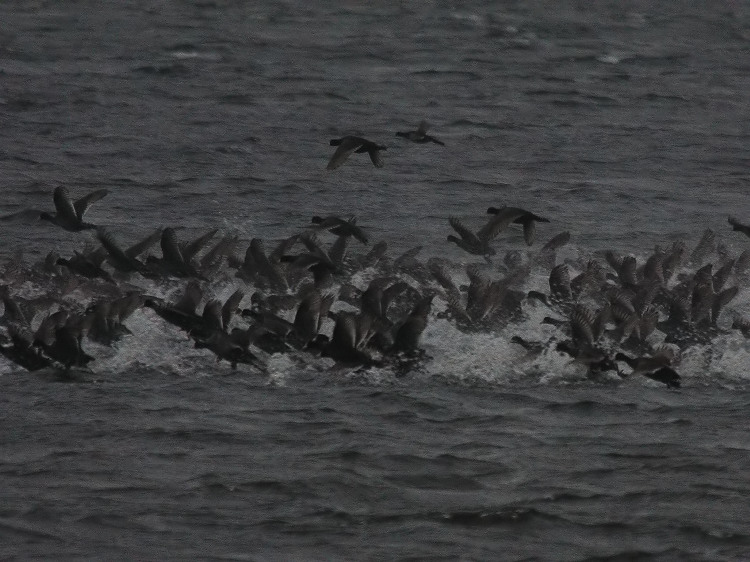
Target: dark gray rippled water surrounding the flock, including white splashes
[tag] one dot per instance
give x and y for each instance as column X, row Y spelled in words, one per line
column 625, row 123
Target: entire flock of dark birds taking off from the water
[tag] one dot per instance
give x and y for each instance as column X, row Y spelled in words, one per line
column 607, row 313
